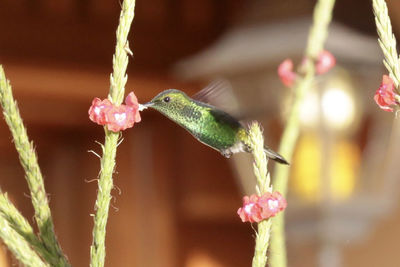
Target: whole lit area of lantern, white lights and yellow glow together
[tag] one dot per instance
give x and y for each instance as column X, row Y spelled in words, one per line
column 327, row 114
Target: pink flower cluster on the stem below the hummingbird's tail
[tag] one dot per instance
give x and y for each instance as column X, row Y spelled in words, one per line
column 257, row 208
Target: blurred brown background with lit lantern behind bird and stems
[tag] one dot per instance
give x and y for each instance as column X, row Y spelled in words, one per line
column 175, row 200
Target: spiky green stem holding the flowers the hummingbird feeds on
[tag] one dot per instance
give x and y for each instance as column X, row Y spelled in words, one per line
column 118, row 81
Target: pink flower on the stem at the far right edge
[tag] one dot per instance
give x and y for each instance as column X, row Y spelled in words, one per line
column 385, row 95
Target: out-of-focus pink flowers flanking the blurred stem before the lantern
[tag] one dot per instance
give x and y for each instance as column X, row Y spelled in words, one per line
column 325, row 62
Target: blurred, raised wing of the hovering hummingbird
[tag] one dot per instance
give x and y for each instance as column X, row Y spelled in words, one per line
column 219, row 94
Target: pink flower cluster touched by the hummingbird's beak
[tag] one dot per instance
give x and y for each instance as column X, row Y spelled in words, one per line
column 116, row 118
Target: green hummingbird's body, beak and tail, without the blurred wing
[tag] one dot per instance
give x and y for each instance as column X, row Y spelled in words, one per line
column 208, row 124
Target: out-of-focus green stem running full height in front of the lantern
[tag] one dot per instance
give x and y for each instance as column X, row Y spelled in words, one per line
column 316, row 39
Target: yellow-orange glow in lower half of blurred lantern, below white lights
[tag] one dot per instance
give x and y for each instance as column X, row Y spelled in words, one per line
column 343, row 168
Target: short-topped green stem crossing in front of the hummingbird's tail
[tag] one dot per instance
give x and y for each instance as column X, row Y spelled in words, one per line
column 263, row 186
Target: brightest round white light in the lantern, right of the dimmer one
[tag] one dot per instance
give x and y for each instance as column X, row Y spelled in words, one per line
column 338, row 108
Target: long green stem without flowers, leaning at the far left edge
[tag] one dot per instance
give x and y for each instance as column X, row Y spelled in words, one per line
column 33, row 174
